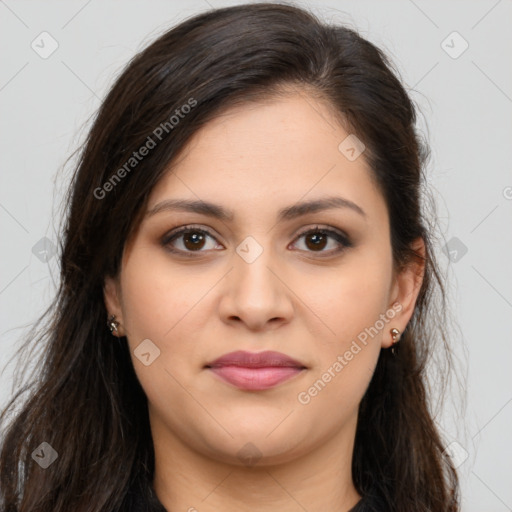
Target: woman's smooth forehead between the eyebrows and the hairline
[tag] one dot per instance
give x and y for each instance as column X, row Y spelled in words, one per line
column 263, row 156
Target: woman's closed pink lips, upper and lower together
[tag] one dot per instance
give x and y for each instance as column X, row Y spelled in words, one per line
column 255, row 371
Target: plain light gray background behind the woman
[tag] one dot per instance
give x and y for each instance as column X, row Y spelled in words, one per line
column 466, row 102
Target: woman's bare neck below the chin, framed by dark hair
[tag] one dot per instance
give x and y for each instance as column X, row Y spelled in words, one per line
column 190, row 481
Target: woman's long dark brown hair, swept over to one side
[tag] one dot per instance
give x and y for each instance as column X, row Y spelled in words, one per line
column 85, row 400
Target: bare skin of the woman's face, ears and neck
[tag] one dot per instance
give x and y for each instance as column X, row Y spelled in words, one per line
column 306, row 301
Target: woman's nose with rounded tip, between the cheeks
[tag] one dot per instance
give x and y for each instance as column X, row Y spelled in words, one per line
column 256, row 294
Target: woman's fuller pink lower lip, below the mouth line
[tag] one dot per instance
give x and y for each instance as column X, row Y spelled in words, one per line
column 255, row 379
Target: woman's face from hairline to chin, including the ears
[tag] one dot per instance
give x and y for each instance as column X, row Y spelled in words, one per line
column 313, row 283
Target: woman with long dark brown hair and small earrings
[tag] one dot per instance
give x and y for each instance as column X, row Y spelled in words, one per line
column 246, row 303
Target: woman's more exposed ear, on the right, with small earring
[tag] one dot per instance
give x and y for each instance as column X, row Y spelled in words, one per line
column 405, row 290
